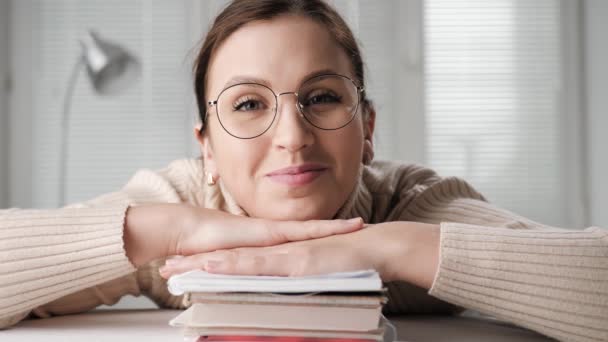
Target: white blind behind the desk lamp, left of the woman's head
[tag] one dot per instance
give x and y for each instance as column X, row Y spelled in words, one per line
column 110, row 137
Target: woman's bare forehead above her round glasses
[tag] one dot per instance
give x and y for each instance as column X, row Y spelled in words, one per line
column 282, row 51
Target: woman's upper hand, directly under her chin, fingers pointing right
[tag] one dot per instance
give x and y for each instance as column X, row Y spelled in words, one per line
column 161, row 230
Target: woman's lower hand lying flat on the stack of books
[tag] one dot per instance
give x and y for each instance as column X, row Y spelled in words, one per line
column 407, row 251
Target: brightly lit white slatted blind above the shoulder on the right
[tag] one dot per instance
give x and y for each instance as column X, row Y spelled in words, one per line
column 493, row 72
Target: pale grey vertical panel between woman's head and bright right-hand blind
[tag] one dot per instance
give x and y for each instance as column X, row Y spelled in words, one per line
column 387, row 32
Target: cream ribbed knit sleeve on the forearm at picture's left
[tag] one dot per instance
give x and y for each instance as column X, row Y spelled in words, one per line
column 49, row 254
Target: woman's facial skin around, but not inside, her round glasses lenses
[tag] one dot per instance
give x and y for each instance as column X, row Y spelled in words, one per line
column 270, row 176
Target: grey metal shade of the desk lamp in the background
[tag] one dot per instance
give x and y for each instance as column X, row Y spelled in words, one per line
column 109, row 66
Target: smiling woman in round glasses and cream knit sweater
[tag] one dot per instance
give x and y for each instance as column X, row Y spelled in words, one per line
column 286, row 142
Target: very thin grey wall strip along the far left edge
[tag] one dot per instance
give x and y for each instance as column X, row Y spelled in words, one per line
column 4, row 88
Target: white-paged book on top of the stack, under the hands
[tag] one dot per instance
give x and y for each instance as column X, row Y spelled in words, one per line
column 201, row 281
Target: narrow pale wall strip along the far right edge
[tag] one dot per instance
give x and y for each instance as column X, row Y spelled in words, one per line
column 595, row 27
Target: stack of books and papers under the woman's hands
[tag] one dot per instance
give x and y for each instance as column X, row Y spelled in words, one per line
column 335, row 307
